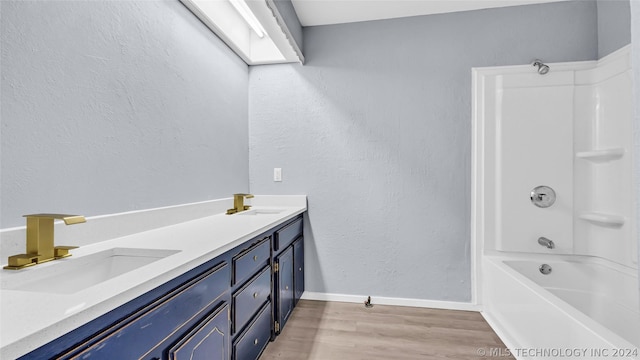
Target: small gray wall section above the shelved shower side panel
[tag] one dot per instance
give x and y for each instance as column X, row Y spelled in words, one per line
column 614, row 25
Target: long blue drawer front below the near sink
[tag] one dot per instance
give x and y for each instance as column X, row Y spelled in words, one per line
column 150, row 326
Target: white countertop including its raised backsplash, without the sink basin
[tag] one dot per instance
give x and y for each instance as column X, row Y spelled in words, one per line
column 196, row 232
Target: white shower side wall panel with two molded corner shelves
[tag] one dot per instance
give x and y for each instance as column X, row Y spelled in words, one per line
column 603, row 186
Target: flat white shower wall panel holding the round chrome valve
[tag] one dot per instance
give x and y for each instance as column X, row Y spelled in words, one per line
column 534, row 128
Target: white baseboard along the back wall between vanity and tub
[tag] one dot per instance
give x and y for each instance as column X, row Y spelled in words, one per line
column 379, row 300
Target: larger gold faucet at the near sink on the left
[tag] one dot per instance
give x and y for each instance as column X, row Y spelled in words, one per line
column 40, row 246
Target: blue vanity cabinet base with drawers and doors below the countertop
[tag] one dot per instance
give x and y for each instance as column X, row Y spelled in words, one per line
column 227, row 308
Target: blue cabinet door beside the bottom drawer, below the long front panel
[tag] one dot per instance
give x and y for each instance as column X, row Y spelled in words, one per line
column 208, row 341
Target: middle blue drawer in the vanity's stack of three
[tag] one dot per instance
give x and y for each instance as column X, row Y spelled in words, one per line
column 250, row 297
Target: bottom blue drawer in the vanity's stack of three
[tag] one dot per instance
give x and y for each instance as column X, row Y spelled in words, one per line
column 249, row 346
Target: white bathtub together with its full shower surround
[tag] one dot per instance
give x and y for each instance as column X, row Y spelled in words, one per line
column 570, row 130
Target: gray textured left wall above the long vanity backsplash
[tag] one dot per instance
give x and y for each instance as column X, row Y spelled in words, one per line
column 109, row 106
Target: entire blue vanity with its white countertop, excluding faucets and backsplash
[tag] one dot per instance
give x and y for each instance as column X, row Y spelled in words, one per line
column 218, row 287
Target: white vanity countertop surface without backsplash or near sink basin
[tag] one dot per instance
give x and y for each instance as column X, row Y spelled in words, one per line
column 31, row 319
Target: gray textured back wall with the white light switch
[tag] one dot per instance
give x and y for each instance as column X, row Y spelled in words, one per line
column 376, row 129
